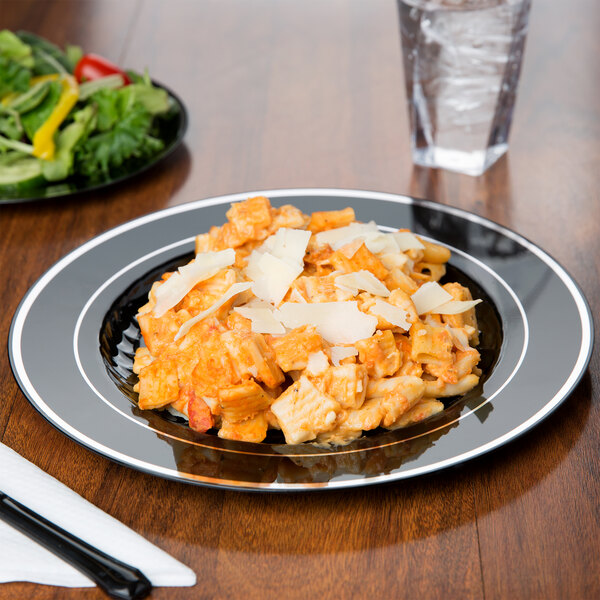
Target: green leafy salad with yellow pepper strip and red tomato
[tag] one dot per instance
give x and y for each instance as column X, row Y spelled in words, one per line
column 66, row 115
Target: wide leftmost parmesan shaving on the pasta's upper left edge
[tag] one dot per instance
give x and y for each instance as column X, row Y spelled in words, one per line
column 204, row 266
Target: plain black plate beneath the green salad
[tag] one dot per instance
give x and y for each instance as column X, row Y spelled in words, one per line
column 170, row 128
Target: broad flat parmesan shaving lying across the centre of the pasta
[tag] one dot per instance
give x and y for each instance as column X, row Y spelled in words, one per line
column 336, row 322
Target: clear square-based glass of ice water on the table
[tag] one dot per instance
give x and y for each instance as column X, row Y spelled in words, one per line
column 462, row 60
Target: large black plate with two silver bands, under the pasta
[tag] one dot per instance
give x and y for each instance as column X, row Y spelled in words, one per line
column 74, row 334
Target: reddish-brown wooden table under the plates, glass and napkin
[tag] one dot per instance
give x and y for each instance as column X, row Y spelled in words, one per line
column 310, row 94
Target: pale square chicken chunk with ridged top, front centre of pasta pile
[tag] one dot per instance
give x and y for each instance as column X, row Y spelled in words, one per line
column 303, row 412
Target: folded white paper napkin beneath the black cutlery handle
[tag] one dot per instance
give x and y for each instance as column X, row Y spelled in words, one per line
column 22, row 559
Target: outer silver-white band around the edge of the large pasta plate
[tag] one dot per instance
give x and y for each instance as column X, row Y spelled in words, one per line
column 579, row 368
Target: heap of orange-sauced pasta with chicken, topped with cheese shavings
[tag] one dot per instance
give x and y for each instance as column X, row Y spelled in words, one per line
column 319, row 326
